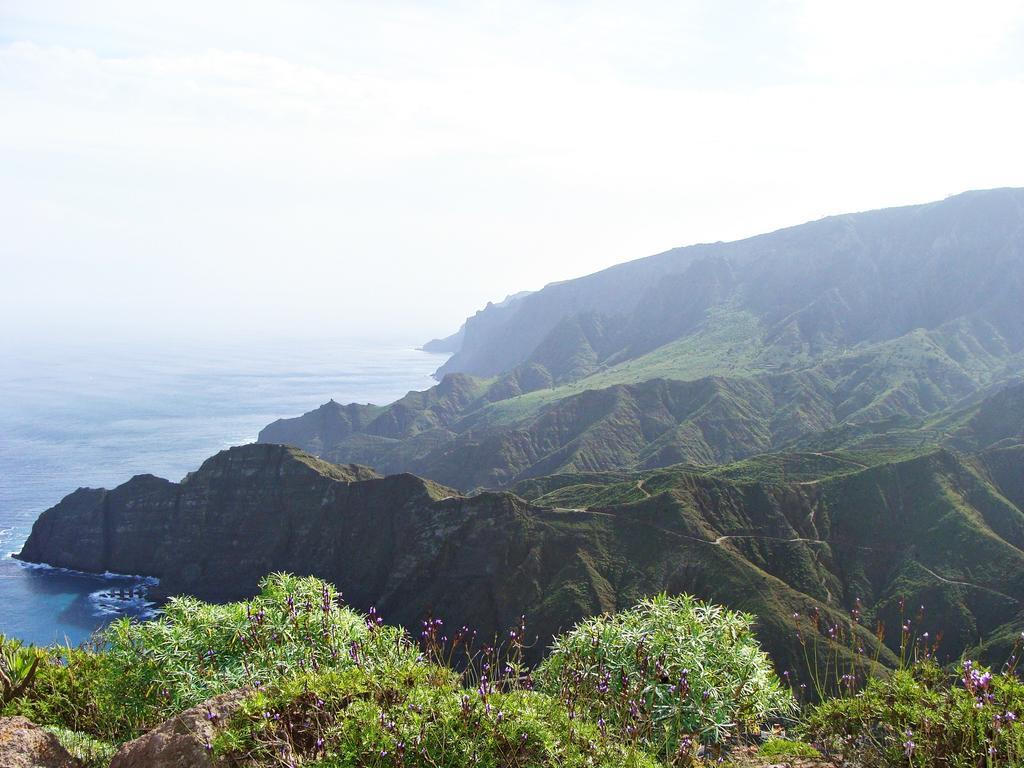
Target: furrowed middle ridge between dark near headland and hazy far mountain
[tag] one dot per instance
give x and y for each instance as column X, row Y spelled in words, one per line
column 880, row 398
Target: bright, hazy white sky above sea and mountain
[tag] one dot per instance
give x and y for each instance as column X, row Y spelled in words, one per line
column 385, row 168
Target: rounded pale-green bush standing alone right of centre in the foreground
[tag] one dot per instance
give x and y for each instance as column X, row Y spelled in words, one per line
column 670, row 673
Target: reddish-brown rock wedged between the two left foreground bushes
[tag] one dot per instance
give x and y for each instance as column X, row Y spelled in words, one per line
column 182, row 742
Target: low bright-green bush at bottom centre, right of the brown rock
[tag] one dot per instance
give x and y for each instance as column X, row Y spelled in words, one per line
column 413, row 715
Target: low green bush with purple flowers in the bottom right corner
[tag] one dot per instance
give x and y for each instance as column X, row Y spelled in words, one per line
column 925, row 717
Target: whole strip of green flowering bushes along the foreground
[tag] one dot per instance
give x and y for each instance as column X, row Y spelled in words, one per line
column 674, row 682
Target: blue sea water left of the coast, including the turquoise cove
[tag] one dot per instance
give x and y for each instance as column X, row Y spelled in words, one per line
column 96, row 415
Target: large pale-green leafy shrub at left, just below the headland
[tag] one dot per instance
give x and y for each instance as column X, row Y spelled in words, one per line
column 196, row 651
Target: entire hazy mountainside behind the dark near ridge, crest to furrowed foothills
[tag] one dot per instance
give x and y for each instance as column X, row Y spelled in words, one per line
column 850, row 331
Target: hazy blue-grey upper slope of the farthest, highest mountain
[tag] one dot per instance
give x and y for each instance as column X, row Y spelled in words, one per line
column 812, row 289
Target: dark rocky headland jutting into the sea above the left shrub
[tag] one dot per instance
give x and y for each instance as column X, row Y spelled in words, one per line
column 246, row 513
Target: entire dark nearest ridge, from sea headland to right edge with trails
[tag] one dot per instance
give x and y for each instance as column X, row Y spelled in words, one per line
column 932, row 530
